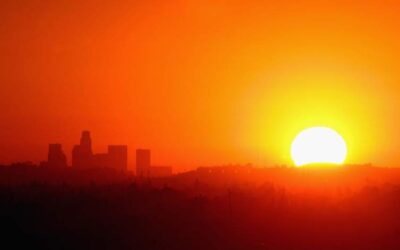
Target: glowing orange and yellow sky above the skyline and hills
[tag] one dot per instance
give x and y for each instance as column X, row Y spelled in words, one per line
column 204, row 82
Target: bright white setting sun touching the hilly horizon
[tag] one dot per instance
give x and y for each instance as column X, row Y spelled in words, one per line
column 318, row 145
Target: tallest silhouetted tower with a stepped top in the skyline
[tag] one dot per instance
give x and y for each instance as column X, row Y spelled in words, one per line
column 82, row 155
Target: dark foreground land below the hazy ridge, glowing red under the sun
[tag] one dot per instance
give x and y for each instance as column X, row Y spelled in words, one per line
column 141, row 215
